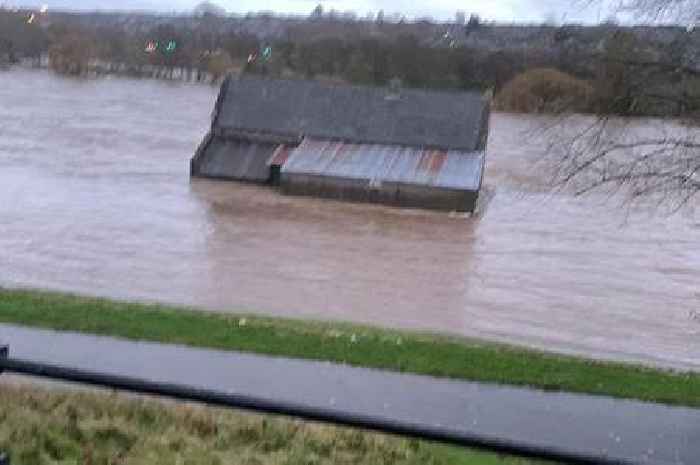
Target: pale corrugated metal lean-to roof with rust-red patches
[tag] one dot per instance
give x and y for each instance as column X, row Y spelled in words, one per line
column 387, row 163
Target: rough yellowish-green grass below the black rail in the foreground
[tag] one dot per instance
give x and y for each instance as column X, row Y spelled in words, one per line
column 40, row 427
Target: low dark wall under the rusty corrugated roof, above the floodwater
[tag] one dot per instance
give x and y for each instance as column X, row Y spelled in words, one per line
column 394, row 194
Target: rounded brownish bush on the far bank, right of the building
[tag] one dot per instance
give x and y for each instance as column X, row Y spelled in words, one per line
column 545, row 90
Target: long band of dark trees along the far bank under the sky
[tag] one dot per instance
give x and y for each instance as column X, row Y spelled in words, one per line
column 625, row 76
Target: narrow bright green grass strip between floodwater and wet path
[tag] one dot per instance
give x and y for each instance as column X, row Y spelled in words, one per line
column 345, row 343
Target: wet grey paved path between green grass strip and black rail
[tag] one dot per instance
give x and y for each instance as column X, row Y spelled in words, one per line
column 565, row 422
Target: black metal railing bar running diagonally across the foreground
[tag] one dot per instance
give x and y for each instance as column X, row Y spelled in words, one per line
column 188, row 393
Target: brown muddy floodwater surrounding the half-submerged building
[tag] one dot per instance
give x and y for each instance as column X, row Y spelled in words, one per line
column 95, row 198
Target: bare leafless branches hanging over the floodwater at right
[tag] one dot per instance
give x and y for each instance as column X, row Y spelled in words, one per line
column 651, row 160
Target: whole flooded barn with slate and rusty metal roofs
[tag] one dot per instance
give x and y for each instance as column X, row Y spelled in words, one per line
column 401, row 147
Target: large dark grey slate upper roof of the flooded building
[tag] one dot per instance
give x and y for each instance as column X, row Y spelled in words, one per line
column 448, row 120
